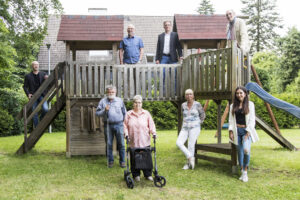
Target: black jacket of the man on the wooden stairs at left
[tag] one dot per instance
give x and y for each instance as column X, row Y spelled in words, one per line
column 29, row 83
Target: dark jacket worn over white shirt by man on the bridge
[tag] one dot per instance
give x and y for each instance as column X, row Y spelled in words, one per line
column 174, row 46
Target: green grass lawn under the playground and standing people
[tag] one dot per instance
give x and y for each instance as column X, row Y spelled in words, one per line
column 46, row 173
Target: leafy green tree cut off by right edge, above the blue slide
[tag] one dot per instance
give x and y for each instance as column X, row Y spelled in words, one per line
column 290, row 62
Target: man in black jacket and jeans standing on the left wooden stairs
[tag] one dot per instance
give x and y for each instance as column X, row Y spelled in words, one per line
column 32, row 82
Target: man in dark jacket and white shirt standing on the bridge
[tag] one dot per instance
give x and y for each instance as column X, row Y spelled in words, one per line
column 168, row 46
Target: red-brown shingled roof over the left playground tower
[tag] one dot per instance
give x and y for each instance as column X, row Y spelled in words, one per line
column 91, row 28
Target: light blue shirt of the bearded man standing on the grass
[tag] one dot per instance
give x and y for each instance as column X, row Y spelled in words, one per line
column 116, row 112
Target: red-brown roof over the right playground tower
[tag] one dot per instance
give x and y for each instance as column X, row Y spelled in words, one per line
column 193, row 27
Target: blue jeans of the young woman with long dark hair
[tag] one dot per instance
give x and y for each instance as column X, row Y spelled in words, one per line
column 244, row 146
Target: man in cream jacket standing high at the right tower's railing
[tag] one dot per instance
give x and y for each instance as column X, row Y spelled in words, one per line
column 237, row 30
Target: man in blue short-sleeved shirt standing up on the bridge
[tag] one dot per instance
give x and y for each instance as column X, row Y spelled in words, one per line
column 131, row 48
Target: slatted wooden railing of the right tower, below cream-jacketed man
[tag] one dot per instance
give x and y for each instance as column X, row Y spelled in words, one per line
column 215, row 74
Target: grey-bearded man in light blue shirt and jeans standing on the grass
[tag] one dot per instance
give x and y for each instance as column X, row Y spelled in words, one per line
column 113, row 111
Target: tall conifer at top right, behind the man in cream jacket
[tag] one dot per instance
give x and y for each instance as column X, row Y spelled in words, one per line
column 262, row 23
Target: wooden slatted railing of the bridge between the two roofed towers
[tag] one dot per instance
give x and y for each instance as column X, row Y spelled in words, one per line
column 88, row 80
